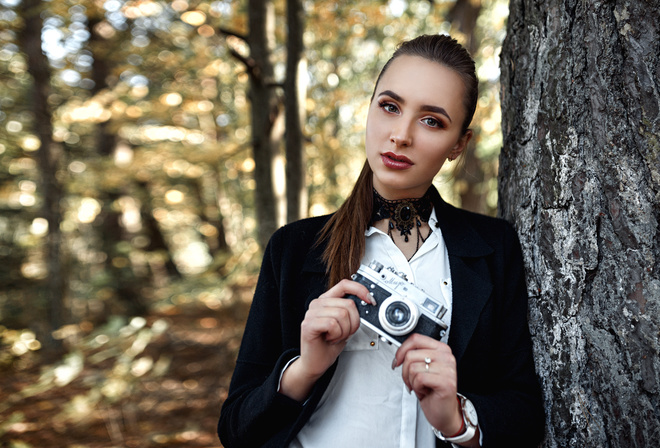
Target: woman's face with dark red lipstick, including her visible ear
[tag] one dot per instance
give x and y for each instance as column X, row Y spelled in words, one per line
column 414, row 124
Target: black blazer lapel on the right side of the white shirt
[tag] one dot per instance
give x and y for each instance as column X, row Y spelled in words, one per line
column 471, row 286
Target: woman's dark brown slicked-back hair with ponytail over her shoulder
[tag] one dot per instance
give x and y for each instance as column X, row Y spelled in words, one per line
column 344, row 231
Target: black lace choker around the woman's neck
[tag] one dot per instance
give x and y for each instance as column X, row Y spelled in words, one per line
column 404, row 214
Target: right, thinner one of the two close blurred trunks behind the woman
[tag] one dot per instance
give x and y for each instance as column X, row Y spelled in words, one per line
column 294, row 88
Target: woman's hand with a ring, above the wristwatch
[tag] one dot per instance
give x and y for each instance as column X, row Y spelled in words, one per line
column 433, row 382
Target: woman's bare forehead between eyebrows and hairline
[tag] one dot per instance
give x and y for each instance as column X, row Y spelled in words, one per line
column 417, row 78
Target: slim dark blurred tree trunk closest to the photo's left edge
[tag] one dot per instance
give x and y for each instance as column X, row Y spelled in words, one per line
column 48, row 161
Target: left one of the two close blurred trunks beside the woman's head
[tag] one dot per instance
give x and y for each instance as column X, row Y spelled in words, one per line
column 267, row 123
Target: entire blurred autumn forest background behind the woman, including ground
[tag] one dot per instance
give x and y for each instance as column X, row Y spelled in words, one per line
column 131, row 162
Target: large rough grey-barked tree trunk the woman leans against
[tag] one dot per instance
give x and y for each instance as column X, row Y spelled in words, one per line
column 580, row 179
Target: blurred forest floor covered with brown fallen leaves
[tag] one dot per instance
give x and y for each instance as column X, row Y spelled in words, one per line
column 157, row 381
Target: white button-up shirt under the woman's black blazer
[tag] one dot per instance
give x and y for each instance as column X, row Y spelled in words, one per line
column 366, row 403
